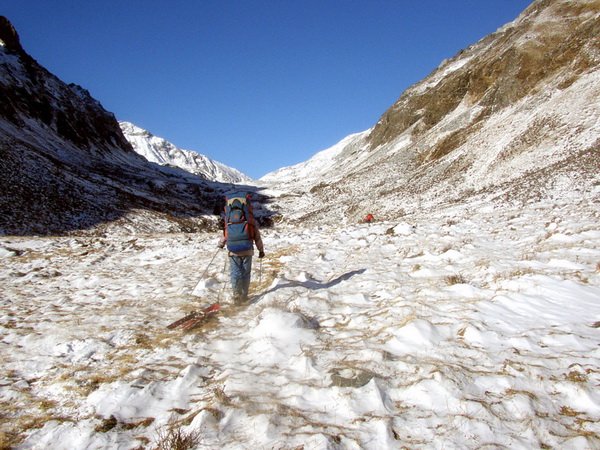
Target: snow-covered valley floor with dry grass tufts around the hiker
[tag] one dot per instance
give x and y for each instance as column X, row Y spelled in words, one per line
column 467, row 328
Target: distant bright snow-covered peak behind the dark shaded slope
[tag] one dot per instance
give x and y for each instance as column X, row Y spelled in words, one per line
column 158, row 150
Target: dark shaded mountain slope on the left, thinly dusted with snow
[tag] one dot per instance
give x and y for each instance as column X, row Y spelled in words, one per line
column 65, row 165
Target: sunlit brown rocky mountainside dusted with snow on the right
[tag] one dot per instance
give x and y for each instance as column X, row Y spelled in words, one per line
column 511, row 118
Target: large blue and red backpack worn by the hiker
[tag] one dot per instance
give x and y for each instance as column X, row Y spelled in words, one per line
column 239, row 223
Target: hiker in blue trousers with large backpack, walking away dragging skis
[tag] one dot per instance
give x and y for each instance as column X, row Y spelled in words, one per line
column 240, row 234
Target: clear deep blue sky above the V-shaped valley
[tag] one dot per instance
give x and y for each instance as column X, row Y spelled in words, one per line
column 257, row 85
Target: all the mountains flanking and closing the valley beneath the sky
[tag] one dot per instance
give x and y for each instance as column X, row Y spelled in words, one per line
column 512, row 118
